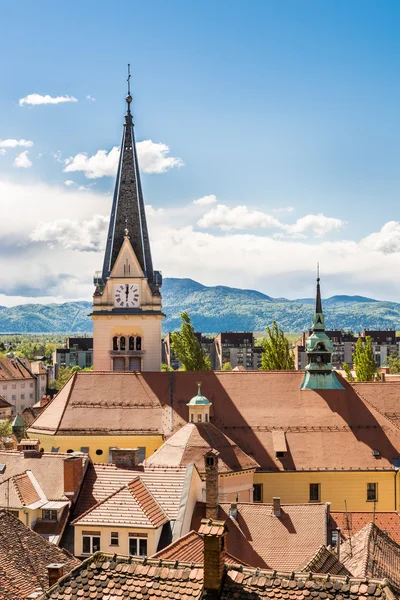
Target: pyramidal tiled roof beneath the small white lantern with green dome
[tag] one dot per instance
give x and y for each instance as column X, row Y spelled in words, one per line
column 193, row 441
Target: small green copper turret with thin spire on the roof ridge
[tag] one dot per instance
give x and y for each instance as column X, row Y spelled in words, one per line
column 319, row 374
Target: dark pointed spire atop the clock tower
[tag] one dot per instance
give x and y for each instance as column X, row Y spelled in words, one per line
column 128, row 205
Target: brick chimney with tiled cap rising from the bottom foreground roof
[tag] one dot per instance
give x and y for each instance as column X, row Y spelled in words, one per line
column 214, row 534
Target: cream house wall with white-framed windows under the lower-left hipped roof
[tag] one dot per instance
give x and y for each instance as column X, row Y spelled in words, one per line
column 153, row 537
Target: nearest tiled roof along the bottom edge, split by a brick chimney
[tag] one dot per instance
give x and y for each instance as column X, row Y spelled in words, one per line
column 108, row 576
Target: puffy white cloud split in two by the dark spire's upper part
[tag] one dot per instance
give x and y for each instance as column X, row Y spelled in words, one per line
column 152, row 158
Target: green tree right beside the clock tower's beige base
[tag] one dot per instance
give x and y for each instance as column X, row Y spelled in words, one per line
column 187, row 348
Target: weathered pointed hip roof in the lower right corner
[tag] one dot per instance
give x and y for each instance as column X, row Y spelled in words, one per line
column 371, row 553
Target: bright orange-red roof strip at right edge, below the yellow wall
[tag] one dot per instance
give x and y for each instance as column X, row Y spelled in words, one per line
column 350, row 523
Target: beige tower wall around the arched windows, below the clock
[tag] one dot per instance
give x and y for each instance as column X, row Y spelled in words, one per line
column 106, row 327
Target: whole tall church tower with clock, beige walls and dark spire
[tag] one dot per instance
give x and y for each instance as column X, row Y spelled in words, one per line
column 127, row 311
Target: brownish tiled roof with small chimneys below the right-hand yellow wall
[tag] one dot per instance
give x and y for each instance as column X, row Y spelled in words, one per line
column 283, row 543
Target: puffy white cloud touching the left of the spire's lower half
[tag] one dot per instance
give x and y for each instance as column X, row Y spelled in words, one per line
column 73, row 234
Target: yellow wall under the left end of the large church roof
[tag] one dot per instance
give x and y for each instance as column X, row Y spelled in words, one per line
column 102, row 443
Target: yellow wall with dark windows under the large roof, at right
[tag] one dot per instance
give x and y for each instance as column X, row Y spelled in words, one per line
column 336, row 487
